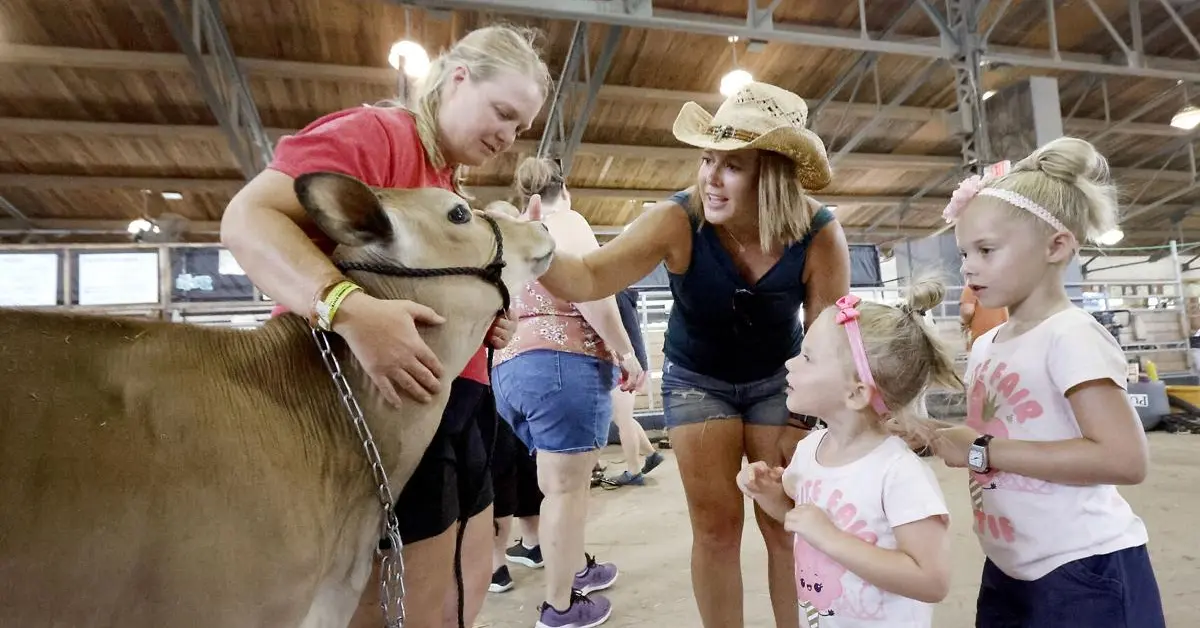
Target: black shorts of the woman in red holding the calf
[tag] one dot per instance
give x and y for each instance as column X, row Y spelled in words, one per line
column 453, row 481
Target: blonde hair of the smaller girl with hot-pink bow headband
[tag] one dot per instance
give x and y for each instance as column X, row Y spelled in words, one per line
column 907, row 356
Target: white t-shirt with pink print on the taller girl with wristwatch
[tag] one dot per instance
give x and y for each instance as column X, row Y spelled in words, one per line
column 1018, row 390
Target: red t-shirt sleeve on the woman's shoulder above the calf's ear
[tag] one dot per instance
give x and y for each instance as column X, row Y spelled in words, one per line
column 351, row 142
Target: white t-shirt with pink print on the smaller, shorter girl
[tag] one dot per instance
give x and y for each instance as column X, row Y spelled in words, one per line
column 869, row 498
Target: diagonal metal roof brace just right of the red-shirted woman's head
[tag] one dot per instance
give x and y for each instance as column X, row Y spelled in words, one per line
column 575, row 95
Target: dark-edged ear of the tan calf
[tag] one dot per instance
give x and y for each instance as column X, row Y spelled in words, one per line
column 345, row 208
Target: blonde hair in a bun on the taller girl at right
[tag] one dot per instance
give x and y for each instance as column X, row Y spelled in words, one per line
column 1071, row 180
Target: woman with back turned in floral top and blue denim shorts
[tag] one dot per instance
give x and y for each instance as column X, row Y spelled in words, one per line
column 553, row 386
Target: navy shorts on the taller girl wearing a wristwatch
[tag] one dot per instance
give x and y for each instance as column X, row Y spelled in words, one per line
column 1115, row 590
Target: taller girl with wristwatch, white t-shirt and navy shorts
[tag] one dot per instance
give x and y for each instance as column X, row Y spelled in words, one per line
column 1051, row 430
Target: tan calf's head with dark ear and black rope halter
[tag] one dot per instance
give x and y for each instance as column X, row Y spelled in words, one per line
column 419, row 229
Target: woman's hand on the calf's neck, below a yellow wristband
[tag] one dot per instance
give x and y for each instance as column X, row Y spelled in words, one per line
column 382, row 334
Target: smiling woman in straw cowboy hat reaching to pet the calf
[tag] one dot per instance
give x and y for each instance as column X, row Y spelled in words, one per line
column 746, row 249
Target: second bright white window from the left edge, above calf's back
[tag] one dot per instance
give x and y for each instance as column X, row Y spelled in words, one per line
column 118, row 279
